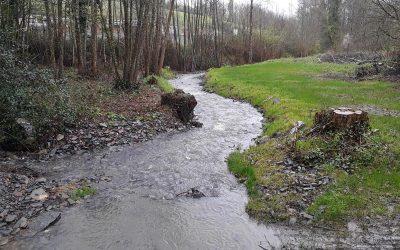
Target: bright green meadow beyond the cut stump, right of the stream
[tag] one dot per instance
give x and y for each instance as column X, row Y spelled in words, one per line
column 301, row 90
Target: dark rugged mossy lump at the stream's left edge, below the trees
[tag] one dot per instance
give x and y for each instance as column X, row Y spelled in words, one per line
column 182, row 103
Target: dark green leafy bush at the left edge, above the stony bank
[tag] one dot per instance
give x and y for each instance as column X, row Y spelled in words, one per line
column 32, row 94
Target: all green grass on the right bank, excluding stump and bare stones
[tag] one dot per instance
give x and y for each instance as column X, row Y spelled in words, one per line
column 301, row 90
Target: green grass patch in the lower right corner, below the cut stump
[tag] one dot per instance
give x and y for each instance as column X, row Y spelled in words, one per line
column 359, row 195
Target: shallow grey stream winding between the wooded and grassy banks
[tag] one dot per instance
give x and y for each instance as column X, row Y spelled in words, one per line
column 140, row 209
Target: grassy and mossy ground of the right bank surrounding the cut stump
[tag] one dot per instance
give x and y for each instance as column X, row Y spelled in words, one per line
column 290, row 90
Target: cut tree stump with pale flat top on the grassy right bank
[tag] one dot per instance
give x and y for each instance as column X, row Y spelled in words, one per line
column 344, row 119
